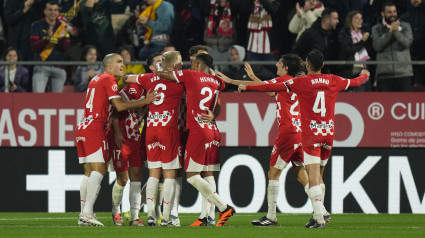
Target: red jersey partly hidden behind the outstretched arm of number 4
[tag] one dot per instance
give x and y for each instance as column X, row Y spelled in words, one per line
column 287, row 108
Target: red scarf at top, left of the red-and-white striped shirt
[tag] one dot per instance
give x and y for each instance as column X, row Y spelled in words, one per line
column 225, row 26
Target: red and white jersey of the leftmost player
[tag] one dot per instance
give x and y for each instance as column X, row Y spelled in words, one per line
column 98, row 107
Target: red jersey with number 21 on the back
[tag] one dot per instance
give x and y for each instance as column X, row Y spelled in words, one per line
column 203, row 91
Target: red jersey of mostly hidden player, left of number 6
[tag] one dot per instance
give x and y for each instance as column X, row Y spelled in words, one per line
column 130, row 120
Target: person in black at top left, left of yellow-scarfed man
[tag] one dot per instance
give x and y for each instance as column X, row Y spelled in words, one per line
column 19, row 15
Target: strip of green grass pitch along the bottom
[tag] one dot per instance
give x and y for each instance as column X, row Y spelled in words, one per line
column 45, row 225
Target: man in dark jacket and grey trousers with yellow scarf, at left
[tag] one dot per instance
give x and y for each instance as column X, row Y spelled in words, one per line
column 49, row 42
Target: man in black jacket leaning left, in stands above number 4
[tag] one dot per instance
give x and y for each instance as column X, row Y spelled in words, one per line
column 320, row 36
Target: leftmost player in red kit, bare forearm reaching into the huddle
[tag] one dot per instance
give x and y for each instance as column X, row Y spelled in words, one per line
column 92, row 146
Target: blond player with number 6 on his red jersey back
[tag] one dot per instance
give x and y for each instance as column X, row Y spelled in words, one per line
column 163, row 135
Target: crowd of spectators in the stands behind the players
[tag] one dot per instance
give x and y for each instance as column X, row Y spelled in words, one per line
column 233, row 30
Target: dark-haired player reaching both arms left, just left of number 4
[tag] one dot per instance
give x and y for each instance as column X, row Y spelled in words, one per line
column 287, row 147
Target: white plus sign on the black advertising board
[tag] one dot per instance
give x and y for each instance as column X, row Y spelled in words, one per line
column 56, row 182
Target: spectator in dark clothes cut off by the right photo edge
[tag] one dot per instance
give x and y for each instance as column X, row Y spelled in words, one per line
column 415, row 16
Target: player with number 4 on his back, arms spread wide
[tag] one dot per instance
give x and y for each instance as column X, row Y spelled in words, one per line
column 317, row 95
